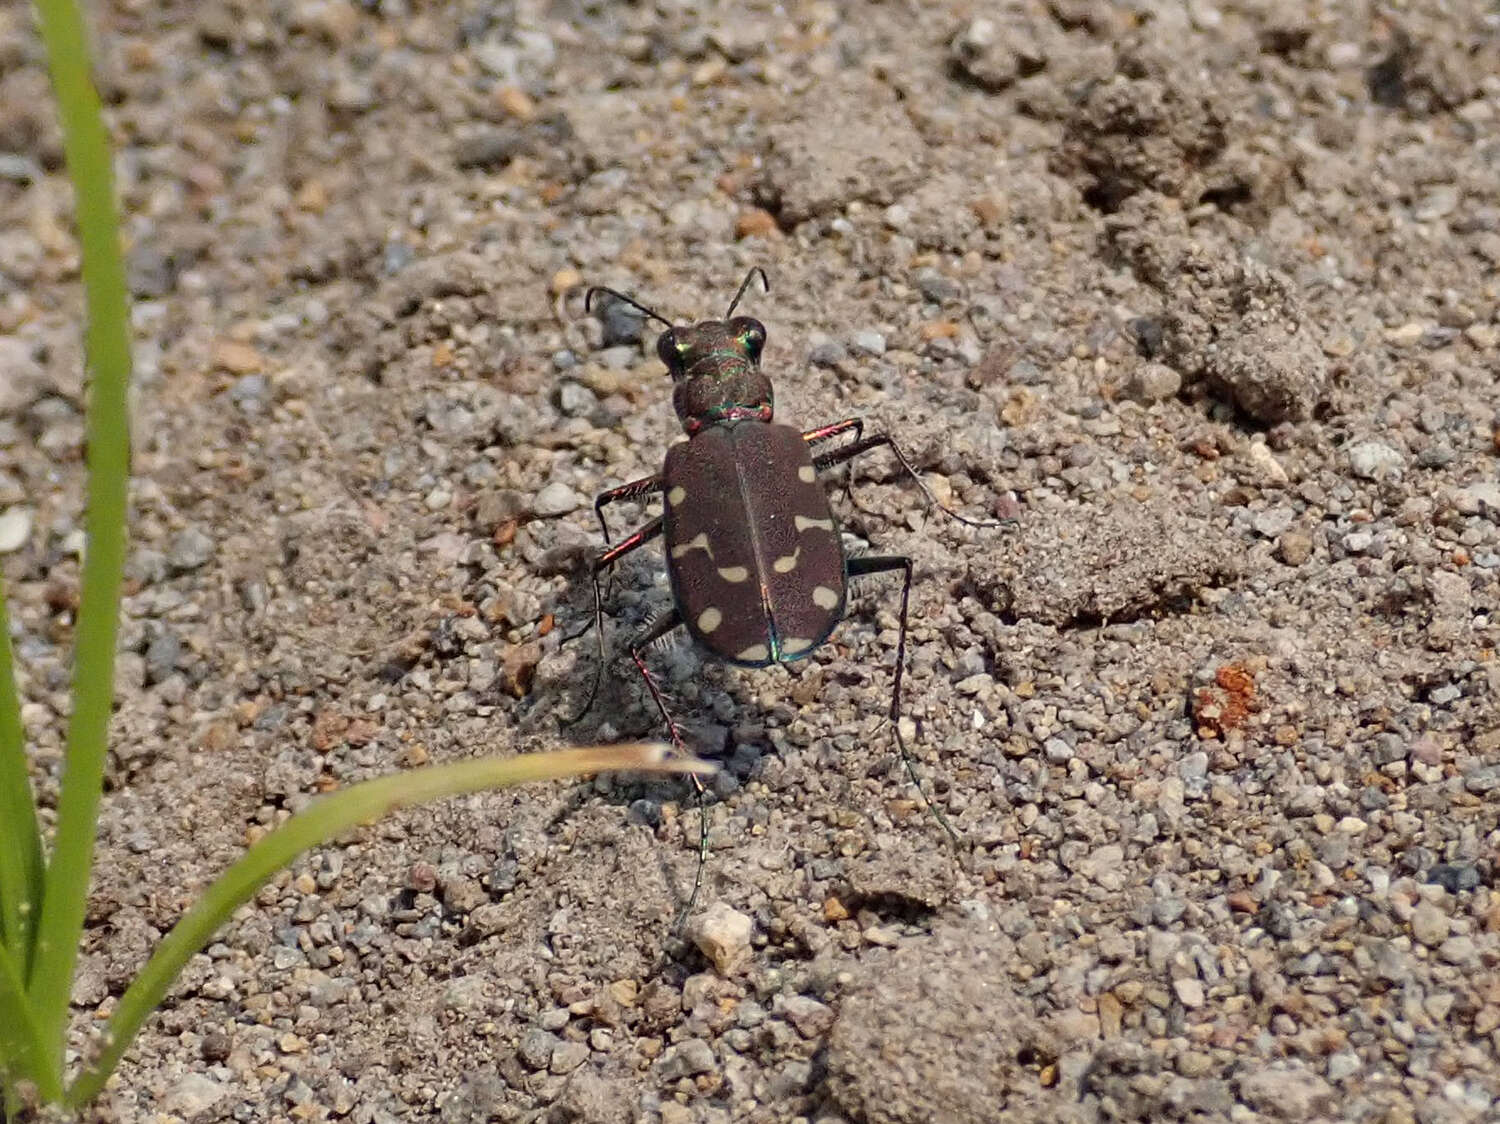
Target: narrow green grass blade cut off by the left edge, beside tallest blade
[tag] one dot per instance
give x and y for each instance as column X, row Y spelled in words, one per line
column 20, row 841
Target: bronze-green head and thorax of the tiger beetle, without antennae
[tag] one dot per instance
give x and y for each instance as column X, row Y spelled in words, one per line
column 716, row 367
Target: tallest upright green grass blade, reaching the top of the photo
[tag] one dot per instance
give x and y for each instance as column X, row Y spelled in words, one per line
column 109, row 460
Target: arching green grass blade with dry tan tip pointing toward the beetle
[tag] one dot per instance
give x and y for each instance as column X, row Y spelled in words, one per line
column 317, row 825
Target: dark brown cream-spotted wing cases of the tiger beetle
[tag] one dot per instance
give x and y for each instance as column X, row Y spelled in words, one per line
column 752, row 545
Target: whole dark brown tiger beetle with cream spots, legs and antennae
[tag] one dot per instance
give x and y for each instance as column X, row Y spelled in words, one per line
column 758, row 570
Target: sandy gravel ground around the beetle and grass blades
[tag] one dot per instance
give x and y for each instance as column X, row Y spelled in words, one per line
column 1204, row 296
